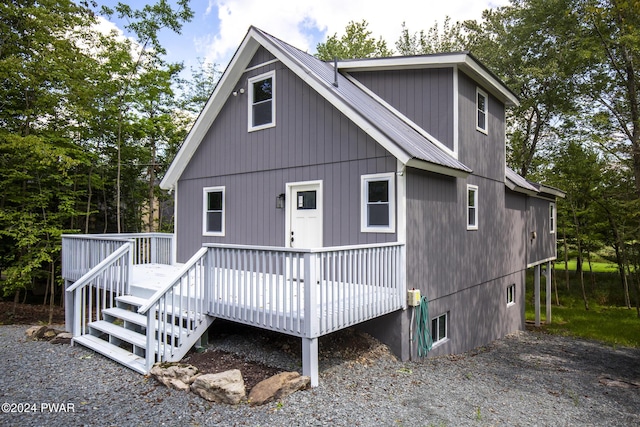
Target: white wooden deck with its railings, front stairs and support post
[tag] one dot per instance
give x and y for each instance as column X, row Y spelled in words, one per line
column 304, row 293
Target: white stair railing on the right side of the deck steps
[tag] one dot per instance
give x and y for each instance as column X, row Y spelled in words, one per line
column 178, row 312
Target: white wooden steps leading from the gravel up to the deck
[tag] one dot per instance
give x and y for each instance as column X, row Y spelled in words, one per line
column 120, row 333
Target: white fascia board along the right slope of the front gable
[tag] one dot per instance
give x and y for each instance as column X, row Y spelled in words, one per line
column 336, row 101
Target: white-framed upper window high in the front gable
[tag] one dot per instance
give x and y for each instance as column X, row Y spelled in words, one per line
column 262, row 101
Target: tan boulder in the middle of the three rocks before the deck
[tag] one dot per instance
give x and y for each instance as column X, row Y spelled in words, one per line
column 225, row 387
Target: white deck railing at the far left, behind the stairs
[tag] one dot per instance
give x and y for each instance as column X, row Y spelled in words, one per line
column 82, row 252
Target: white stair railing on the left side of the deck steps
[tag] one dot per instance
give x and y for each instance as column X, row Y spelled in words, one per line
column 98, row 288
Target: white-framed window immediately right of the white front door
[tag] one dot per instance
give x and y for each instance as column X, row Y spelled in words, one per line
column 378, row 203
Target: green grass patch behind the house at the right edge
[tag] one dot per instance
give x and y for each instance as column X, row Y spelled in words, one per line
column 607, row 319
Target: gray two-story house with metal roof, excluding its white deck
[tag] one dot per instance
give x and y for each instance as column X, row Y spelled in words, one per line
column 401, row 149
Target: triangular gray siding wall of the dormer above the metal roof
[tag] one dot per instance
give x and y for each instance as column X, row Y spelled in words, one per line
column 424, row 96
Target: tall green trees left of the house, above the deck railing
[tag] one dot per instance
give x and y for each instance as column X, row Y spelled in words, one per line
column 85, row 119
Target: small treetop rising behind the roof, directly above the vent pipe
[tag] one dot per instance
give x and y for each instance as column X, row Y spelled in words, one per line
column 357, row 42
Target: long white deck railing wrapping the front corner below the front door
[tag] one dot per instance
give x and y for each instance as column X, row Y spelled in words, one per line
column 306, row 293
